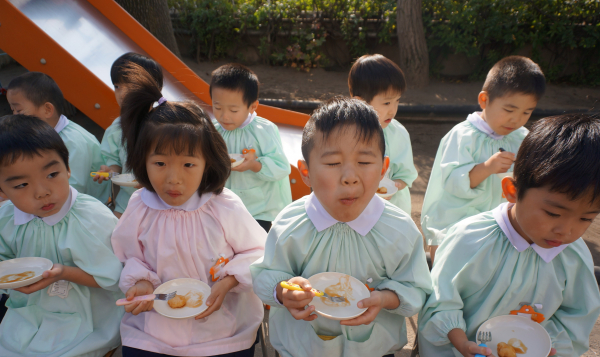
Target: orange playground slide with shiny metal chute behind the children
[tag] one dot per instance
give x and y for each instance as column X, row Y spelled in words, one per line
column 76, row 42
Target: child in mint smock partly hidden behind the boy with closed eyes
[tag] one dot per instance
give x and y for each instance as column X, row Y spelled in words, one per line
column 380, row 82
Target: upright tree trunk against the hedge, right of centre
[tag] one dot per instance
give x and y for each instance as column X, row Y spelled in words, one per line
column 414, row 57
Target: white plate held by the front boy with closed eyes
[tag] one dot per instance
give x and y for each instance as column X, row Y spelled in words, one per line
column 352, row 289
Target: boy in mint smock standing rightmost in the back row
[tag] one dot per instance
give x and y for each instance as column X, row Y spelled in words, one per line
column 463, row 179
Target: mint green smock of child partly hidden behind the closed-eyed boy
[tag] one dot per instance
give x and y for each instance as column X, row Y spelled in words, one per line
column 402, row 167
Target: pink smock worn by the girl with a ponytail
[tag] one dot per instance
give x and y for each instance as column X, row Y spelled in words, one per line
column 158, row 243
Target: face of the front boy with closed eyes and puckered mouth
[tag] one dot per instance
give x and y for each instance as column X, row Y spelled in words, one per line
column 344, row 173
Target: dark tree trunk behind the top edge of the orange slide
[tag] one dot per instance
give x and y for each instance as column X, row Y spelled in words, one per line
column 154, row 16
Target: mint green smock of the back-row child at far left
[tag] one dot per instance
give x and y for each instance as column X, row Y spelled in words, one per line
column 84, row 158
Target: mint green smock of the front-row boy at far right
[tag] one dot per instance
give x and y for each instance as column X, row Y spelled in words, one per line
column 478, row 274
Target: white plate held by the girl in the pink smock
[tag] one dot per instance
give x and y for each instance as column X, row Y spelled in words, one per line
column 182, row 286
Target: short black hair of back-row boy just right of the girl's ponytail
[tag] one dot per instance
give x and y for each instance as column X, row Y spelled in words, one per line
column 236, row 77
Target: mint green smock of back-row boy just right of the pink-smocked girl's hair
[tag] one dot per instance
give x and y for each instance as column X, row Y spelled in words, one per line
column 267, row 192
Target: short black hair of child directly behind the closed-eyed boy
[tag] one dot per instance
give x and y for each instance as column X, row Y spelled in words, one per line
column 371, row 75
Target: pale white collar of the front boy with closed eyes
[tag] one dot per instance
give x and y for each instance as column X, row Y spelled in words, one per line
column 362, row 224
